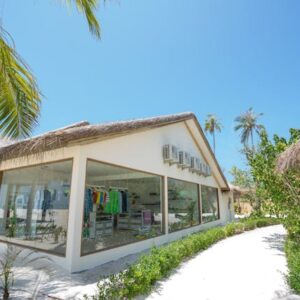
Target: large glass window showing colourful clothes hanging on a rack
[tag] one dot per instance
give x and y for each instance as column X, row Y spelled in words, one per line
column 121, row 206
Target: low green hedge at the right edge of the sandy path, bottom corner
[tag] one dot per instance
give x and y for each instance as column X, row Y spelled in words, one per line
column 292, row 250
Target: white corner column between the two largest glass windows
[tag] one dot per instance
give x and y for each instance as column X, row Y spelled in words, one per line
column 76, row 211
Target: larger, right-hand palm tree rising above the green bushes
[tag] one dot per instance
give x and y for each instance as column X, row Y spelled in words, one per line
column 247, row 123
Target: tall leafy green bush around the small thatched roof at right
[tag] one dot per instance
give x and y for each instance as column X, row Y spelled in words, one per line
column 273, row 190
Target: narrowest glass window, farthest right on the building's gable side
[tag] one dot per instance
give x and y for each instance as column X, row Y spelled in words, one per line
column 210, row 206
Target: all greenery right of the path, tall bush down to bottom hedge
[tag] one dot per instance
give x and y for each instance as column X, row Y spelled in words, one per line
column 279, row 194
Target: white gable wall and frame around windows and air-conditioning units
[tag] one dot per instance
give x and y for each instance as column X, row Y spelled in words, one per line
column 141, row 151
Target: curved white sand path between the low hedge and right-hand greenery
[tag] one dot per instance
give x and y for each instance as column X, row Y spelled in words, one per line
column 250, row 266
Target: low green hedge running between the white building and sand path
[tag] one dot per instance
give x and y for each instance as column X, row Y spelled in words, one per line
column 140, row 277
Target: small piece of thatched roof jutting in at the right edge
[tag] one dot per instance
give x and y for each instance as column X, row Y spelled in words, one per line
column 289, row 159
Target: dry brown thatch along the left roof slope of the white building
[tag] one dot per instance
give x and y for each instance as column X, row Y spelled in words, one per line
column 84, row 131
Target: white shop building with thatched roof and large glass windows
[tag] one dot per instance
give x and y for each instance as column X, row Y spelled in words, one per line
column 87, row 194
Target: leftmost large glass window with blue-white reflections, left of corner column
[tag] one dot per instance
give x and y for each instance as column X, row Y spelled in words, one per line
column 34, row 206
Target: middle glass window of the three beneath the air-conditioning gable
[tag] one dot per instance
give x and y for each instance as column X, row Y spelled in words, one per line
column 183, row 205
